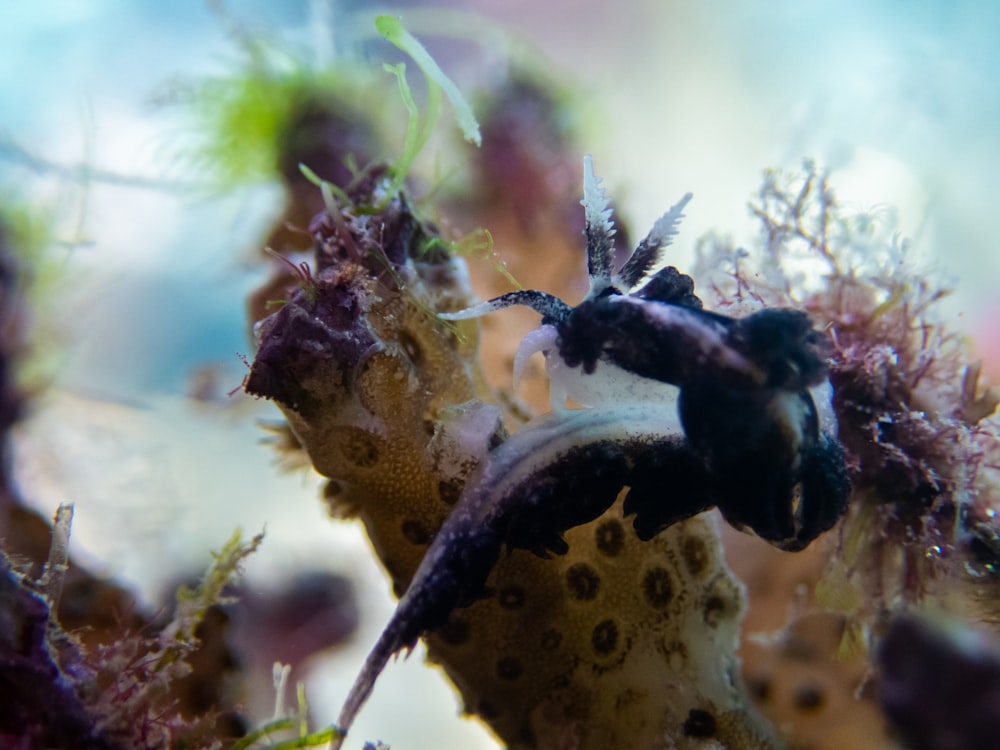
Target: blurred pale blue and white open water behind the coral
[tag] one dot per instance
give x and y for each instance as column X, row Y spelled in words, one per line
column 141, row 333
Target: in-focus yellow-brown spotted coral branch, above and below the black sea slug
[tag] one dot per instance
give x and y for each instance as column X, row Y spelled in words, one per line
column 619, row 643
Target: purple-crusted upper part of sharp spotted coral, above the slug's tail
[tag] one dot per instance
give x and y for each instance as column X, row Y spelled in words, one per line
column 365, row 372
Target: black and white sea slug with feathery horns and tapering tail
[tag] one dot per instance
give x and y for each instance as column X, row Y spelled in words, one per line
column 684, row 408
